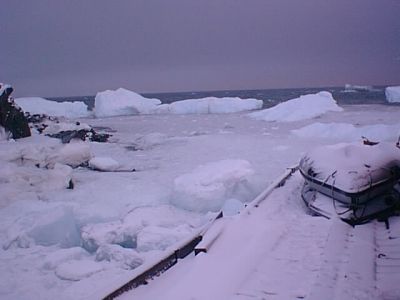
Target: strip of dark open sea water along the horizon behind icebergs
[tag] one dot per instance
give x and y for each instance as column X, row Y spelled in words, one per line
column 271, row 97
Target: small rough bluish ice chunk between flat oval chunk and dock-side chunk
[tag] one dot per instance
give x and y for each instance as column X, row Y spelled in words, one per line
column 125, row 258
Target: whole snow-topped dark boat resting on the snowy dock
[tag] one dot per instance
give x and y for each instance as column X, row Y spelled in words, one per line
column 358, row 182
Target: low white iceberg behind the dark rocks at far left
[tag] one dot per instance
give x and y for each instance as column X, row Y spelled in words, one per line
column 37, row 105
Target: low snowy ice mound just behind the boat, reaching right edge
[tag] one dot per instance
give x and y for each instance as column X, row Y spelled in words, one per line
column 348, row 132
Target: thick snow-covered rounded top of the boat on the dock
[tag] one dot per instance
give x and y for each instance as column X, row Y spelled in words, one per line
column 351, row 166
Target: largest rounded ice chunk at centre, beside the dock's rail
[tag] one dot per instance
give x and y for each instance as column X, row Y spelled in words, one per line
column 208, row 186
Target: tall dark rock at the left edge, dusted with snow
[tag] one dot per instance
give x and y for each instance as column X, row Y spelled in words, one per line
column 12, row 117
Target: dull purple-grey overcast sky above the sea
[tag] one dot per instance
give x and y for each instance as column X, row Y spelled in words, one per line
column 79, row 47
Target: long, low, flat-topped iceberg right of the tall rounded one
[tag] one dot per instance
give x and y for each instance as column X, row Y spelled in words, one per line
column 211, row 105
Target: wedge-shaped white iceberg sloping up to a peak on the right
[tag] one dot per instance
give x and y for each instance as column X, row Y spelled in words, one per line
column 305, row 107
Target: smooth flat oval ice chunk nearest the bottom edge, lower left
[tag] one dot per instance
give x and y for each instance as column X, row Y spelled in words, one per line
column 76, row 270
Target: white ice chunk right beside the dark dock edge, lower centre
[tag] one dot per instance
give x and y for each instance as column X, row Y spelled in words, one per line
column 160, row 238
